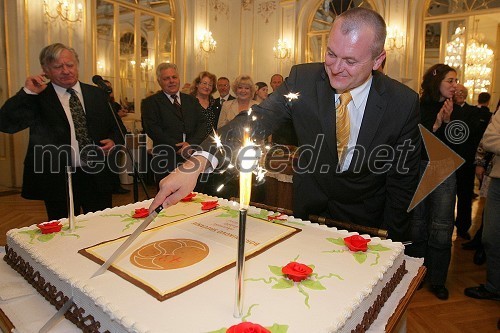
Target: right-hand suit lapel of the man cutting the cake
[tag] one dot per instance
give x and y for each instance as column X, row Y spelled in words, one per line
column 375, row 108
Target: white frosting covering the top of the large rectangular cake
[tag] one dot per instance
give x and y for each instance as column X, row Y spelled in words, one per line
column 121, row 307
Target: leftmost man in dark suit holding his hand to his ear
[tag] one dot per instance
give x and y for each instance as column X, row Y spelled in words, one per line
column 59, row 137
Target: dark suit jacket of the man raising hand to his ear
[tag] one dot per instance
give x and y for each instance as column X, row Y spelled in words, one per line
column 44, row 176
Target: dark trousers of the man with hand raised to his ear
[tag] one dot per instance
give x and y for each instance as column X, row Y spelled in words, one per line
column 86, row 197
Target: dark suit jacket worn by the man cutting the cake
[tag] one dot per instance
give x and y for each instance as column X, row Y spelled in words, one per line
column 371, row 193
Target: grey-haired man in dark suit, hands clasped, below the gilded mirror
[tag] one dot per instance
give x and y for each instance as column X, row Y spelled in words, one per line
column 173, row 120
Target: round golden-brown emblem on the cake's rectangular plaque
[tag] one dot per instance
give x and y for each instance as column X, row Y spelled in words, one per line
column 169, row 254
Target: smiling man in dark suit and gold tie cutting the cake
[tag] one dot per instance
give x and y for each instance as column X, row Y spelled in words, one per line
column 375, row 180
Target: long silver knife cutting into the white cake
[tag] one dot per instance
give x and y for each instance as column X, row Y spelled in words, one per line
column 147, row 221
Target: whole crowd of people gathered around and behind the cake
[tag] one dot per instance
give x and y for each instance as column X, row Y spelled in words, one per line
column 343, row 177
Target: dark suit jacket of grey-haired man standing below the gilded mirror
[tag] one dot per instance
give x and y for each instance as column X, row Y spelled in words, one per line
column 165, row 125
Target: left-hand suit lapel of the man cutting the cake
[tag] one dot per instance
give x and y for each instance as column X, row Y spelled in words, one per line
column 326, row 110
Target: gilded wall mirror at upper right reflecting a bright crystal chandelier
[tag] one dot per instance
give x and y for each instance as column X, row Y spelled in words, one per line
column 470, row 31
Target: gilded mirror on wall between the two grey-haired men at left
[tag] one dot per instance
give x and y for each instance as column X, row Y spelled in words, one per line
column 132, row 38
